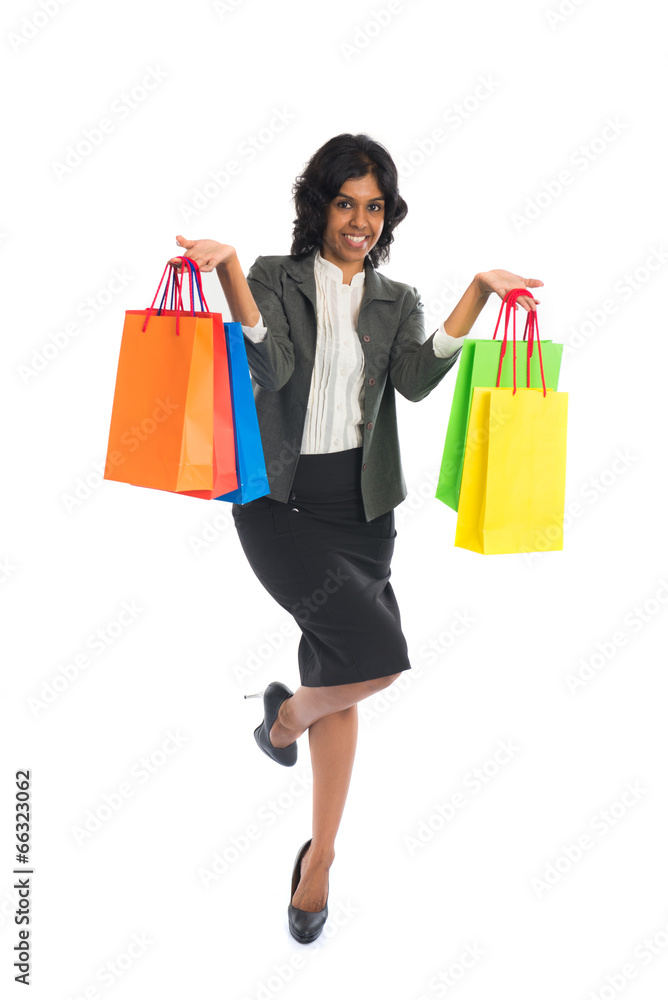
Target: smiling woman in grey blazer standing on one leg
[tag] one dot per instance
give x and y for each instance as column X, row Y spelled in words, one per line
column 328, row 341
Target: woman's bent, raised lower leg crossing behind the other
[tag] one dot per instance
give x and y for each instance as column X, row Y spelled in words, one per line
column 308, row 704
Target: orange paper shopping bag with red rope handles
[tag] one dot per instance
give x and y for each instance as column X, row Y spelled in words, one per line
column 162, row 425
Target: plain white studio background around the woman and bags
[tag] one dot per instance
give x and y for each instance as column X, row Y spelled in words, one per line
column 400, row 918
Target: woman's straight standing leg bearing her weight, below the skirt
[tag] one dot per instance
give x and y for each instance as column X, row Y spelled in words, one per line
column 332, row 741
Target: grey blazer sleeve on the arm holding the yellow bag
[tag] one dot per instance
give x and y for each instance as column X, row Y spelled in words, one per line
column 414, row 368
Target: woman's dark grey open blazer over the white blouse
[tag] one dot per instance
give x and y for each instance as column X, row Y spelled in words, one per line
column 396, row 356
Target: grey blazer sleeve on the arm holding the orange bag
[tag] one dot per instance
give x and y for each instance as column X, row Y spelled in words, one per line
column 272, row 360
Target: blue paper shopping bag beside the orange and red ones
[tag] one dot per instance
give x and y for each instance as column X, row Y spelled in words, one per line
column 251, row 469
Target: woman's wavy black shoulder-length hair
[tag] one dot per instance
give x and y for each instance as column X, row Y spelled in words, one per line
column 340, row 158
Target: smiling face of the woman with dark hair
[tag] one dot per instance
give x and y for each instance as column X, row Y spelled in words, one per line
column 358, row 209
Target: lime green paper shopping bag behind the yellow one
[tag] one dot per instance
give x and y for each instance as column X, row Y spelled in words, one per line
column 478, row 366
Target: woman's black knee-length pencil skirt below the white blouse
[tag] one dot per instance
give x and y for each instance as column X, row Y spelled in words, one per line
column 330, row 568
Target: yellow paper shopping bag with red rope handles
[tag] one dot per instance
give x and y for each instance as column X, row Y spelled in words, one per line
column 514, row 472
